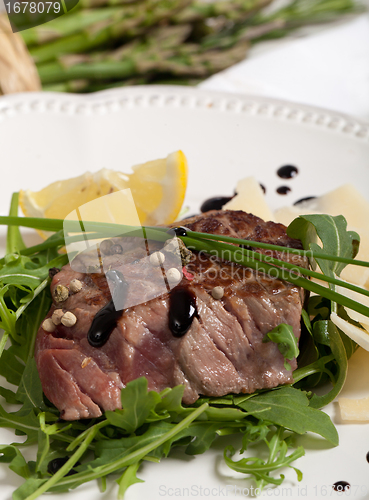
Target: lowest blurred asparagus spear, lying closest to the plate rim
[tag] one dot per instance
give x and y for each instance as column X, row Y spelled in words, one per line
column 162, row 53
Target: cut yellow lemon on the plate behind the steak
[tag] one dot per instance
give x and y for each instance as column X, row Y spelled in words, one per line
column 158, row 188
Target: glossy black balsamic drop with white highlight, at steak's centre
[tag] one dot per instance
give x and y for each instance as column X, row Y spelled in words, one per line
column 182, row 311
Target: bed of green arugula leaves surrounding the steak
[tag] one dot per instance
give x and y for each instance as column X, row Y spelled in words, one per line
column 150, row 423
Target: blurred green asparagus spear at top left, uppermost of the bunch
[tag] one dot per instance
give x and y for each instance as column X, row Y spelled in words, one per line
column 144, row 15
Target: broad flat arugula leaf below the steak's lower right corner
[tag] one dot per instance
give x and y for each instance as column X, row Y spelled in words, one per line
column 289, row 407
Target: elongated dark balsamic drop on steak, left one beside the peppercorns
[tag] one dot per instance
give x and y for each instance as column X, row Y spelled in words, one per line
column 106, row 319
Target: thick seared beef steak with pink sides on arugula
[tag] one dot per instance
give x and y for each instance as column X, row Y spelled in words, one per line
column 219, row 351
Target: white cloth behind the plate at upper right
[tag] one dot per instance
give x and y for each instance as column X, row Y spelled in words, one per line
column 329, row 69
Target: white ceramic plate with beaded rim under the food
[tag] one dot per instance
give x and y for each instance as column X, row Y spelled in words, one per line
column 44, row 137
